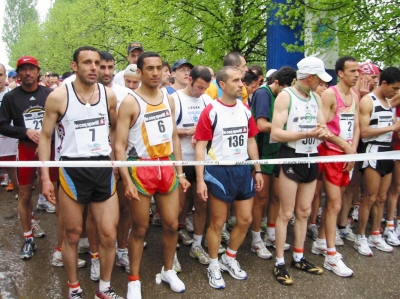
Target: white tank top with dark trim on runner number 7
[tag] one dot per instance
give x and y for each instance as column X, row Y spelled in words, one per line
column 84, row 132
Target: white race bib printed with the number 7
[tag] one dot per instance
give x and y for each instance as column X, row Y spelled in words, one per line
column 91, row 135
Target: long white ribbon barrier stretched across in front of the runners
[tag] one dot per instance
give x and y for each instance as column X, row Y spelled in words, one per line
column 391, row 155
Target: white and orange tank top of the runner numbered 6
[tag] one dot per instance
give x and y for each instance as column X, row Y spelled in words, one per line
column 151, row 135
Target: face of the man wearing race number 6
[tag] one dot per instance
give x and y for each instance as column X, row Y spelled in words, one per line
column 151, row 72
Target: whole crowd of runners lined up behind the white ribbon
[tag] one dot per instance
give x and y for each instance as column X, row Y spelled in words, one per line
column 154, row 112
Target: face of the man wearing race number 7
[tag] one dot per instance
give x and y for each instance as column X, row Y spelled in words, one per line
column 87, row 67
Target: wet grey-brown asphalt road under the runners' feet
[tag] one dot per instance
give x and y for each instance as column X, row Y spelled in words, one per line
column 376, row 277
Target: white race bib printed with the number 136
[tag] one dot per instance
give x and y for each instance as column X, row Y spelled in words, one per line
column 234, row 141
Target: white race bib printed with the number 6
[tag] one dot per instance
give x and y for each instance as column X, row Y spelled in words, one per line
column 159, row 126
